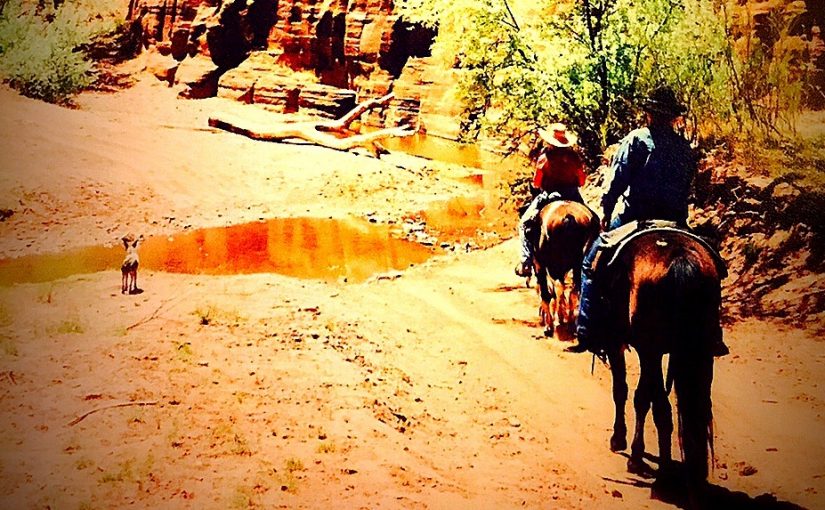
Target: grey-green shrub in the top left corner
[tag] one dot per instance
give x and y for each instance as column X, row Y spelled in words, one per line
column 39, row 49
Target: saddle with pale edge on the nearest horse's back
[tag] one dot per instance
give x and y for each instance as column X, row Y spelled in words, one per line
column 614, row 241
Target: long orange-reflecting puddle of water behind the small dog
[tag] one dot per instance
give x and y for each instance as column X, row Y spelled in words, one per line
column 301, row 247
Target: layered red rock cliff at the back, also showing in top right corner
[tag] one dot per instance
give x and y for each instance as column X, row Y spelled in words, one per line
column 325, row 55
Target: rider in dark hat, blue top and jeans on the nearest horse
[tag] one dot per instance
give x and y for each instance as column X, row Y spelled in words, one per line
column 652, row 174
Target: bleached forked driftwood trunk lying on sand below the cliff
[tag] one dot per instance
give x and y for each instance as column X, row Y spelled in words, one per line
column 334, row 134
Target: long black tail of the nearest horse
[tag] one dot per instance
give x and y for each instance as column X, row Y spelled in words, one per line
column 691, row 363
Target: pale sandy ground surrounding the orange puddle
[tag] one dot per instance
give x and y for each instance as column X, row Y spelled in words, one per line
column 434, row 389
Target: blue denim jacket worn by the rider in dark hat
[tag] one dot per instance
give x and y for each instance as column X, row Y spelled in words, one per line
column 652, row 173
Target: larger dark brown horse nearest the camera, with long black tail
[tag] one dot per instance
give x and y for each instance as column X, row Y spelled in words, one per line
column 665, row 296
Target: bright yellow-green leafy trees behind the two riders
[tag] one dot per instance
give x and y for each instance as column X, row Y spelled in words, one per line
column 589, row 62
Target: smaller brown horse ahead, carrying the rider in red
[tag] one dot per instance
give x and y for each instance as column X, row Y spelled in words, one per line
column 567, row 231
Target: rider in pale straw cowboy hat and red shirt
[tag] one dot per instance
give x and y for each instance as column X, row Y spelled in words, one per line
column 559, row 172
